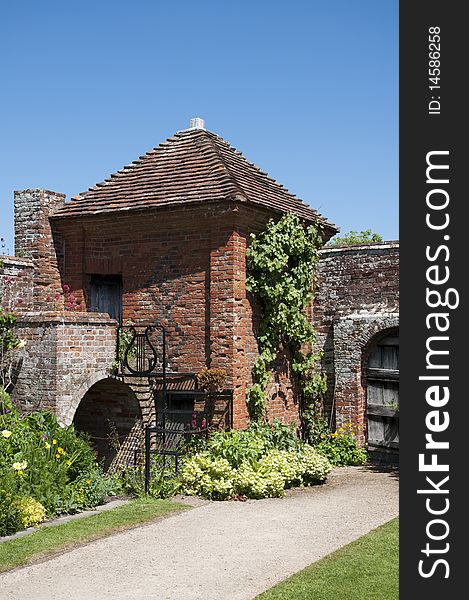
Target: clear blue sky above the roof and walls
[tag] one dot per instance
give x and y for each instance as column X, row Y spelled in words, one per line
column 307, row 90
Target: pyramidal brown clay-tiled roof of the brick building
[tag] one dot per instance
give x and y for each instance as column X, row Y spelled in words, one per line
column 193, row 166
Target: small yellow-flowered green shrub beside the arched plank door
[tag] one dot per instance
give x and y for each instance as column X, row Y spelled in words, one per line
column 341, row 447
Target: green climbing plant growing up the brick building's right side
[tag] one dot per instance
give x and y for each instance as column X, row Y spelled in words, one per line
column 281, row 264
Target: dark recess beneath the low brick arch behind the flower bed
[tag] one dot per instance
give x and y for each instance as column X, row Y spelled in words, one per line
column 109, row 412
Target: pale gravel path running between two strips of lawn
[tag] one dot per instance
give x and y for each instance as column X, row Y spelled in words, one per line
column 218, row 550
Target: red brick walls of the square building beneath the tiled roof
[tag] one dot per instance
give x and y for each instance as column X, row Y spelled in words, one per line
column 184, row 267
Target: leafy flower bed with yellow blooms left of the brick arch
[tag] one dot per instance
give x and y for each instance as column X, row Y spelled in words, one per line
column 42, row 463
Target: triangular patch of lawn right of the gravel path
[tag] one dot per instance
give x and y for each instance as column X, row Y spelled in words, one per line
column 366, row 569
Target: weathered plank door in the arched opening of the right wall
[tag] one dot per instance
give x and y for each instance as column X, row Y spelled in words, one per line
column 382, row 387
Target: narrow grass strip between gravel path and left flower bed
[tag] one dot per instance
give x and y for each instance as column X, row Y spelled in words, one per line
column 55, row 539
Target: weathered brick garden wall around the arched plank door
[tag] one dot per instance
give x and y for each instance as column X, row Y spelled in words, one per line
column 357, row 298
